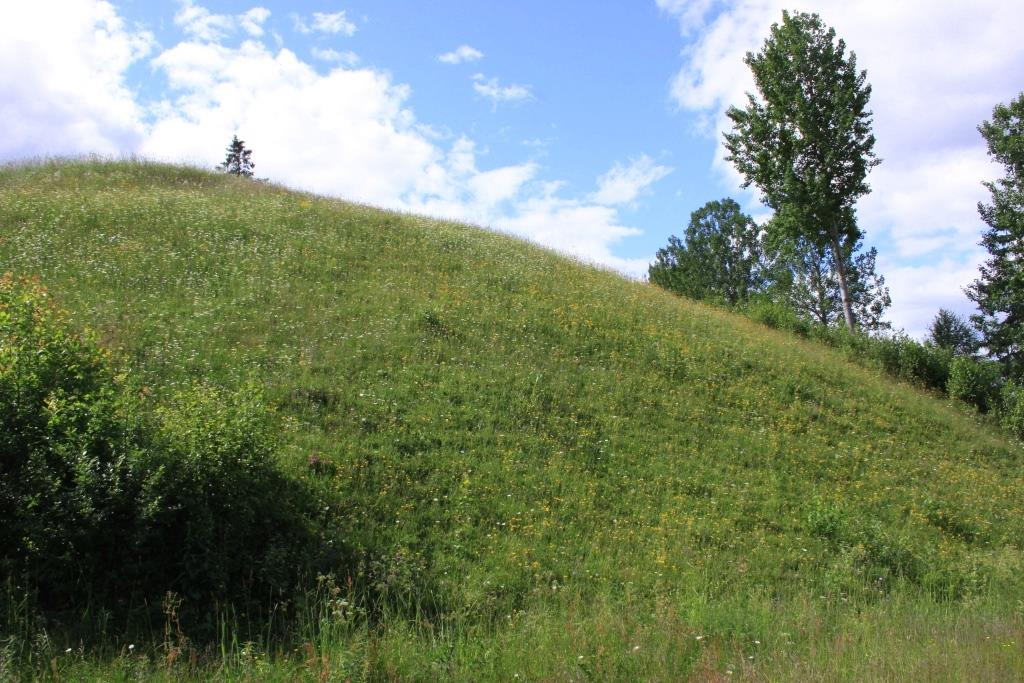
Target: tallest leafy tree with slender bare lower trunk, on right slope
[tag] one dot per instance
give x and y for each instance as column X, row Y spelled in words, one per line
column 807, row 143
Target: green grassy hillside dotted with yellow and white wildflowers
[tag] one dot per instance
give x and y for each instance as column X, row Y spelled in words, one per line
column 543, row 471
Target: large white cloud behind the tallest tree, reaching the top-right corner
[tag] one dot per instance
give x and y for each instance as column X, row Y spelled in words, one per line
column 936, row 70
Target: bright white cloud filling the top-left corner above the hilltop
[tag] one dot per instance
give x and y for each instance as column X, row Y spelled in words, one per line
column 62, row 79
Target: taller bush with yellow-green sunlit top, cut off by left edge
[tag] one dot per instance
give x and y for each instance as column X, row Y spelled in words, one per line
column 65, row 458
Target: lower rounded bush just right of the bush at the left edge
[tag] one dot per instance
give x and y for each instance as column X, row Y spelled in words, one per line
column 214, row 493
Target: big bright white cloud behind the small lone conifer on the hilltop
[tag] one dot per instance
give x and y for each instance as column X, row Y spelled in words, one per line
column 287, row 112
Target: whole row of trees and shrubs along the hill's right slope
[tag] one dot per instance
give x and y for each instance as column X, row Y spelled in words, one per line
column 805, row 143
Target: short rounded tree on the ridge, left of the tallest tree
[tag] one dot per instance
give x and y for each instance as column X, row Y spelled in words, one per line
column 720, row 260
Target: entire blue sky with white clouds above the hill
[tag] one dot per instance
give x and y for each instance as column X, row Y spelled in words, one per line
column 593, row 129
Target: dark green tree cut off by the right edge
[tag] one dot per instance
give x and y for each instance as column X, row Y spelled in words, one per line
column 1000, row 289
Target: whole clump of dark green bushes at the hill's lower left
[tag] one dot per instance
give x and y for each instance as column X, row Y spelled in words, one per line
column 106, row 497
